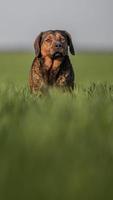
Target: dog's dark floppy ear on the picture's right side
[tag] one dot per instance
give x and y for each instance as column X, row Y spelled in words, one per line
column 70, row 43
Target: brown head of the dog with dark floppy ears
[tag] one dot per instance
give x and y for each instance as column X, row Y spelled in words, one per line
column 53, row 44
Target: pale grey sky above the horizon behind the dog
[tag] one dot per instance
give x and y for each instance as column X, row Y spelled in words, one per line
column 90, row 22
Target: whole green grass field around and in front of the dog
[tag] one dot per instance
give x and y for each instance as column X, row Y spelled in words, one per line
column 58, row 146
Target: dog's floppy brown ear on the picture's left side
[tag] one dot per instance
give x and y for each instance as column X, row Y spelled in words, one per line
column 37, row 45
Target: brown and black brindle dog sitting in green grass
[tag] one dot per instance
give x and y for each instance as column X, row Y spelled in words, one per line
column 51, row 65
